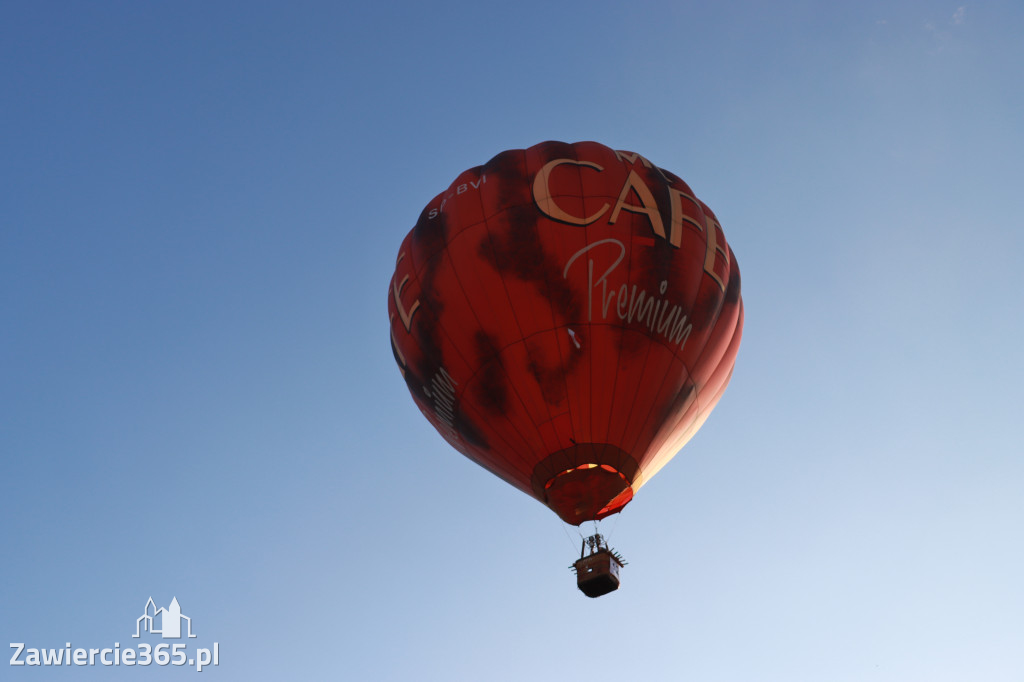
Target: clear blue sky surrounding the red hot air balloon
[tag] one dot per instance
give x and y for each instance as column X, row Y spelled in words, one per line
column 201, row 204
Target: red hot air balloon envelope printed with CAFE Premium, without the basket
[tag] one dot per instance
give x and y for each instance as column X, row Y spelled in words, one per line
column 567, row 317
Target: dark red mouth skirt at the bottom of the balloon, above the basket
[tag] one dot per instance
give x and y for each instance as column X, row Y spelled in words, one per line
column 586, row 483
